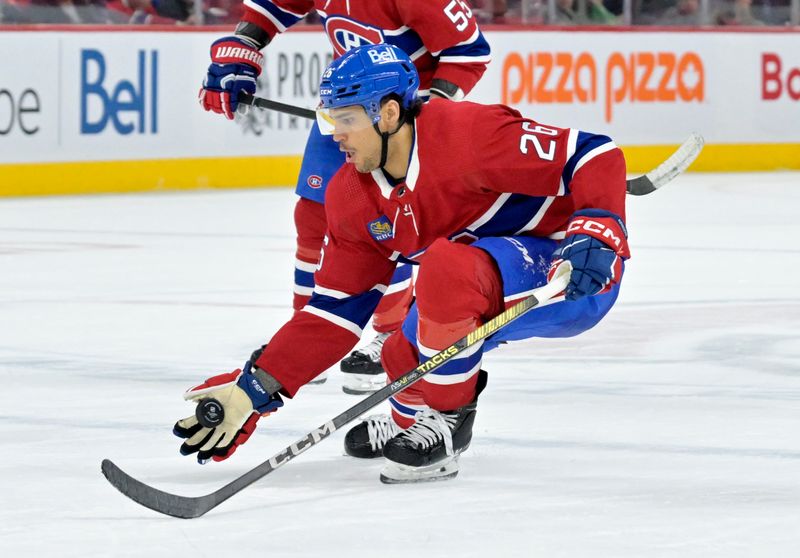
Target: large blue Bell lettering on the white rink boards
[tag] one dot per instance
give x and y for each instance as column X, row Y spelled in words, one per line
column 138, row 99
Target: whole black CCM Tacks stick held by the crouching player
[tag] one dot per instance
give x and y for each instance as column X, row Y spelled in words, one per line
column 188, row 507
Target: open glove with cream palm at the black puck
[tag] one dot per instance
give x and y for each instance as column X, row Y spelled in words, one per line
column 229, row 406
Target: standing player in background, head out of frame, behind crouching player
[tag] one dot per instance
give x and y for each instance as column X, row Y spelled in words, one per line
column 450, row 53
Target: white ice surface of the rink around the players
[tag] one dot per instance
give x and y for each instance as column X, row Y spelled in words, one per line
column 671, row 429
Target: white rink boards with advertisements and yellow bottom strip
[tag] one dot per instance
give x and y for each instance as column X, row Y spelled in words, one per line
column 116, row 111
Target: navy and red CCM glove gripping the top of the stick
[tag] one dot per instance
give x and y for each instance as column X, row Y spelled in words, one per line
column 595, row 245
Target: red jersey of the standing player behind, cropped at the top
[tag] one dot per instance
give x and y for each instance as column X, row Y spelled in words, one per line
column 440, row 36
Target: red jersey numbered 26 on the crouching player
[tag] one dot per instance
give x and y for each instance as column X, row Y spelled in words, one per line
column 475, row 171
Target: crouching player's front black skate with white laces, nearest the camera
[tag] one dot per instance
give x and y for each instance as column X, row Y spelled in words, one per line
column 429, row 449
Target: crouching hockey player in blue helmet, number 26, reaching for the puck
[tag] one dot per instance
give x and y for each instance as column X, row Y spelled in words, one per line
column 485, row 201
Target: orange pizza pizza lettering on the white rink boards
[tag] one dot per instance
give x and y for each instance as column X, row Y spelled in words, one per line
column 637, row 77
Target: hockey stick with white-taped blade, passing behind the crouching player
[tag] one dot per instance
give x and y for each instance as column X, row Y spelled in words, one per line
column 639, row 186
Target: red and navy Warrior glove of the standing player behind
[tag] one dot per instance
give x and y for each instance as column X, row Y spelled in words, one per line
column 235, row 65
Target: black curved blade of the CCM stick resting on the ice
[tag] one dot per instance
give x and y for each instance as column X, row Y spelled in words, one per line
column 155, row 499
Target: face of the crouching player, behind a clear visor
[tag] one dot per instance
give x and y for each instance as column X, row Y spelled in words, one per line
column 356, row 137
